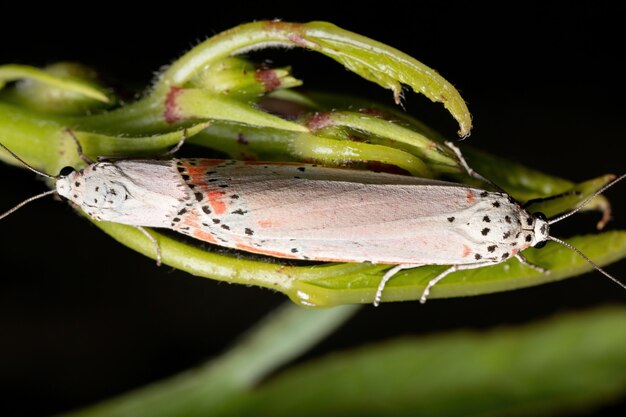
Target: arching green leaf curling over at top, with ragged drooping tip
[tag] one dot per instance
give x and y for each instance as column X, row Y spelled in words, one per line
column 370, row 59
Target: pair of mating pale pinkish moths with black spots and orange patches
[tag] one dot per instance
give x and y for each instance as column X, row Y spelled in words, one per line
column 311, row 212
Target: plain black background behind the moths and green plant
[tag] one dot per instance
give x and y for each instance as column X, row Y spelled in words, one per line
column 83, row 318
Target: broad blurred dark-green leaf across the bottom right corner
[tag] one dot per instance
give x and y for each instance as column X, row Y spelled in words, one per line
column 557, row 367
